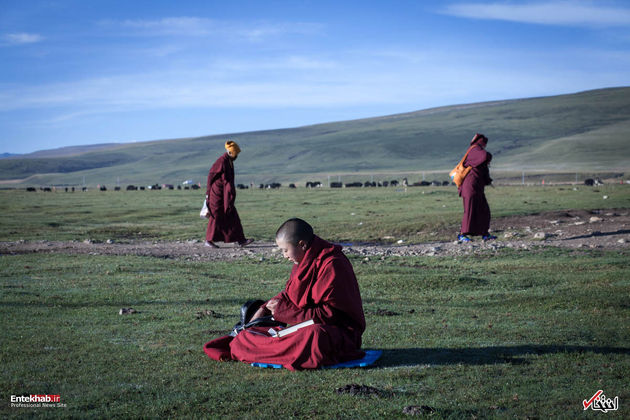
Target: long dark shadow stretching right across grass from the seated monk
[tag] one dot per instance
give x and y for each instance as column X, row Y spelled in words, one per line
column 483, row 355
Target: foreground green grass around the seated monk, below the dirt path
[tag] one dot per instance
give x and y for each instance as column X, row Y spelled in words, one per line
column 517, row 334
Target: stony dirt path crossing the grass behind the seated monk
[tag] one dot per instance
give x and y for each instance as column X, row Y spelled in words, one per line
column 579, row 229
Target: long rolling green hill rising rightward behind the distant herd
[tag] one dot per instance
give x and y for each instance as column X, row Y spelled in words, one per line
column 588, row 130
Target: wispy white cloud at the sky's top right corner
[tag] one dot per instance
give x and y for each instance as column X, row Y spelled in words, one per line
column 567, row 13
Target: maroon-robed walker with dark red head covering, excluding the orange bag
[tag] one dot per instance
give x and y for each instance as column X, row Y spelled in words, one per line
column 476, row 219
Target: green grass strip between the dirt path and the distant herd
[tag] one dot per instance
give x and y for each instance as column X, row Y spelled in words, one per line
column 419, row 214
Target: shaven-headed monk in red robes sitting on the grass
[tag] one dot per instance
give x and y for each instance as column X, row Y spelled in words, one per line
column 322, row 287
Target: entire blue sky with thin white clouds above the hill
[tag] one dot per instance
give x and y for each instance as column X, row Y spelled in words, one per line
column 86, row 72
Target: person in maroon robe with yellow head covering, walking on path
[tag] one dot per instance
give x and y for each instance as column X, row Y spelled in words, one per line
column 224, row 223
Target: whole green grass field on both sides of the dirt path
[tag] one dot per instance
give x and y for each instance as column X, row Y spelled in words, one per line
column 525, row 334
